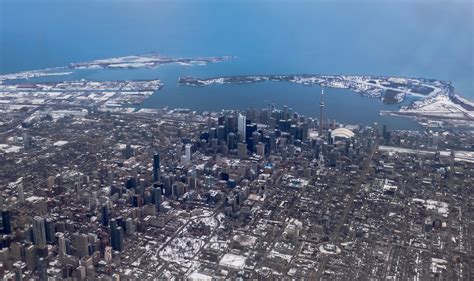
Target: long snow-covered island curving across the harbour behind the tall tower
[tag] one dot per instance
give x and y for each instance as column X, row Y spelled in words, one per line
column 434, row 104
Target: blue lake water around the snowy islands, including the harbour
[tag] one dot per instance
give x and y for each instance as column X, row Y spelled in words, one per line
column 432, row 39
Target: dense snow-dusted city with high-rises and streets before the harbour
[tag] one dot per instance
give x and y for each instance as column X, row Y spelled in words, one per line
column 257, row 194
